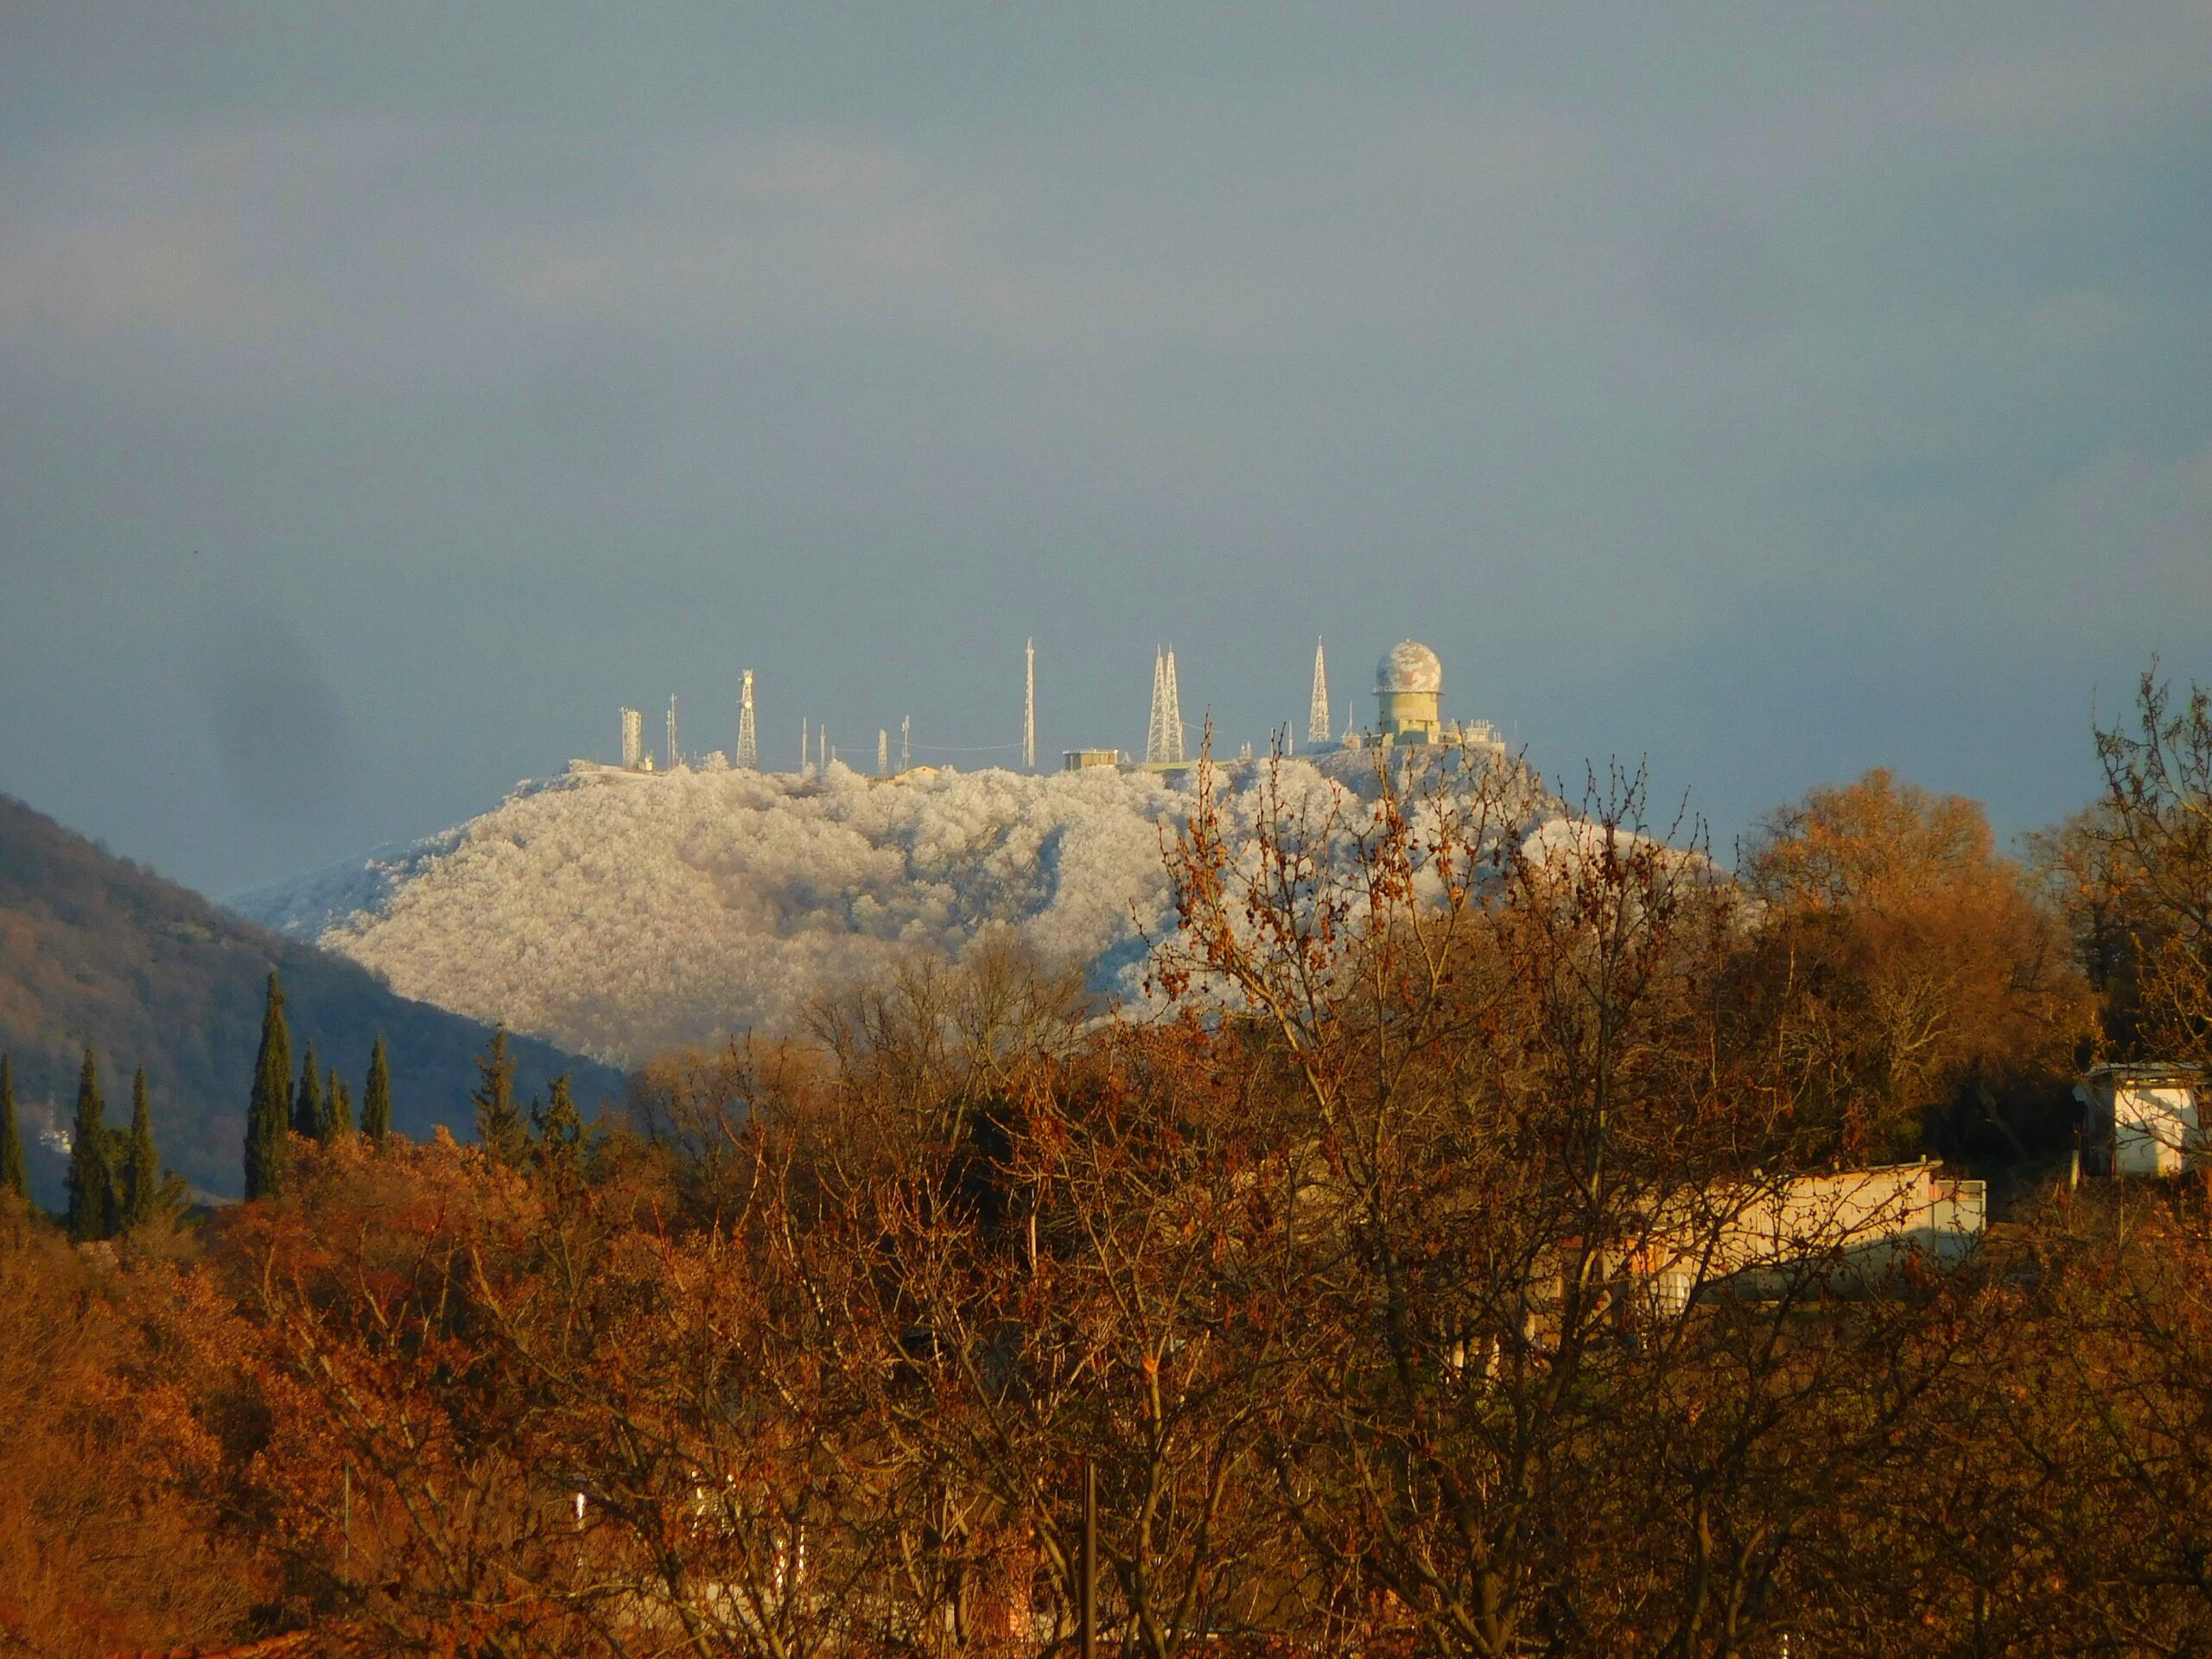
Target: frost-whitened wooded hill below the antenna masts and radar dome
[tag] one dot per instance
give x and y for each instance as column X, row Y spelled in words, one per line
column 623, row 912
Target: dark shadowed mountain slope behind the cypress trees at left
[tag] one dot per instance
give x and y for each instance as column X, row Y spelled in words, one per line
column 101, row 950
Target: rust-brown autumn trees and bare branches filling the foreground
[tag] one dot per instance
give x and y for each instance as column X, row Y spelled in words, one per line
column 1392, row 1288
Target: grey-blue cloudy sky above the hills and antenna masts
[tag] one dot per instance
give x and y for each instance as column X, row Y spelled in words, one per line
column 388, row 395
